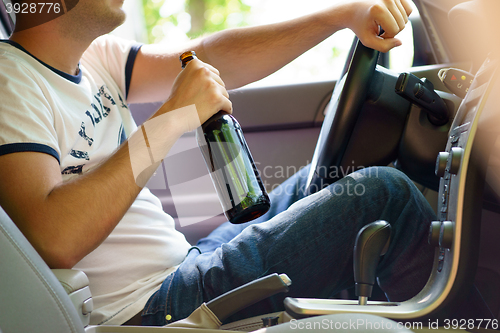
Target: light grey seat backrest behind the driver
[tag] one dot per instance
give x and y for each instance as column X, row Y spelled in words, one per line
column 31, row 298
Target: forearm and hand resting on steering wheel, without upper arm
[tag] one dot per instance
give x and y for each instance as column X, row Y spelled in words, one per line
column 245, row 55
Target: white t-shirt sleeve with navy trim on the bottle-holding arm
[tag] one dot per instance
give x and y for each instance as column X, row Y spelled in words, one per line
column 26, row 119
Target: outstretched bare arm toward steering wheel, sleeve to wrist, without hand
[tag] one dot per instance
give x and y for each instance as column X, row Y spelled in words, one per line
column 241, row 55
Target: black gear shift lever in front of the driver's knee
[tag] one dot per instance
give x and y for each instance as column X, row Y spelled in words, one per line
column 371, row 243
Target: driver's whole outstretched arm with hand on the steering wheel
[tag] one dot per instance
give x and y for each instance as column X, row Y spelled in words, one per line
column 245, row 55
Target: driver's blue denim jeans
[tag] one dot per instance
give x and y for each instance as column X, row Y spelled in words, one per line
column 311, row 239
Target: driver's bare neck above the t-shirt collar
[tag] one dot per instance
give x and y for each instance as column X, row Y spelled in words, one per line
column 55, row 49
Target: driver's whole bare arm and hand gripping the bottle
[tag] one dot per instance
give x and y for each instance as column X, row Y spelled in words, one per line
column 65, row 221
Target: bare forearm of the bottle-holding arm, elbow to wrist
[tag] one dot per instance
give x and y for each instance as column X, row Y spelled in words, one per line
column 78, row 215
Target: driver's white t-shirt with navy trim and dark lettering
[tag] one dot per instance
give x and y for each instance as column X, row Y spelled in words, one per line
column 81, row 120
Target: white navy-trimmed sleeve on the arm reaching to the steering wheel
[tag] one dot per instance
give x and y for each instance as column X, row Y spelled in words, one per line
column 117, row 56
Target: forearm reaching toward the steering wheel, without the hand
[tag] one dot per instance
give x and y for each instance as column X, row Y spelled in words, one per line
column 244, row 55
